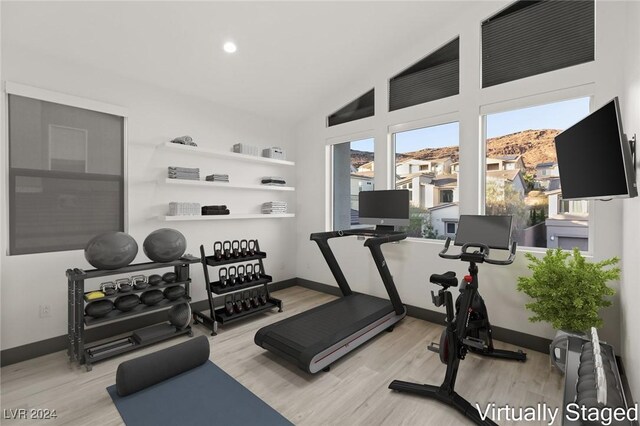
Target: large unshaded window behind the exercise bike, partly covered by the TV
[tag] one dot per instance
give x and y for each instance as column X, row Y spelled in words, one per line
column 530, row 191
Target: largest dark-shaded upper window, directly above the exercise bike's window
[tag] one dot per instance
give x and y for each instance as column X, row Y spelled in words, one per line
column 534, row 37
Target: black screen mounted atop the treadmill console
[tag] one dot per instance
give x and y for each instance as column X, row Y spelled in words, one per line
column 389, row 207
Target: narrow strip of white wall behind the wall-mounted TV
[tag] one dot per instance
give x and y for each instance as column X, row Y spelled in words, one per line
column 630, row 288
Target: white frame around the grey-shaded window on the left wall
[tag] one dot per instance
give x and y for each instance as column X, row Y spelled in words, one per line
column 17, row 89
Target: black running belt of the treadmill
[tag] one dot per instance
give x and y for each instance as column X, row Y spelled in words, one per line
column 304, row 335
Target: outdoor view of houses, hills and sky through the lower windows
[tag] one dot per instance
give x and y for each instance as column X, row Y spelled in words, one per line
column 521, row 177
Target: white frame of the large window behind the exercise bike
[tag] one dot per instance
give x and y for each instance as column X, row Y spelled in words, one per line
column 538, row 99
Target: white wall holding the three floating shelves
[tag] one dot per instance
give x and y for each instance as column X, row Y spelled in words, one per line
column 155, row 116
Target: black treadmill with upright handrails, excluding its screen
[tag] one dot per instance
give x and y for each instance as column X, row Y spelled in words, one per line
column 314, row 339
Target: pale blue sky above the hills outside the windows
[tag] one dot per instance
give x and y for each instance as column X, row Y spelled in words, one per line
column 559, row 115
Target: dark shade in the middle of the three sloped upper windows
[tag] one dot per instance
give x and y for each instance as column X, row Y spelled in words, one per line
column 434, row 77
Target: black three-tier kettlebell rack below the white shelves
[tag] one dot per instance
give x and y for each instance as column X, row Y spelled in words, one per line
column 214, row 289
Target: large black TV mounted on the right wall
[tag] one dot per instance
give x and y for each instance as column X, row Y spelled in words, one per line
column 594, row 157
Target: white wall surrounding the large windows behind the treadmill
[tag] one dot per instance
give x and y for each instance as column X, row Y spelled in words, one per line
column 412, row 261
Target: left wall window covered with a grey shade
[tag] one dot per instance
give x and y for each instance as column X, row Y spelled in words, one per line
column 66, row 173
